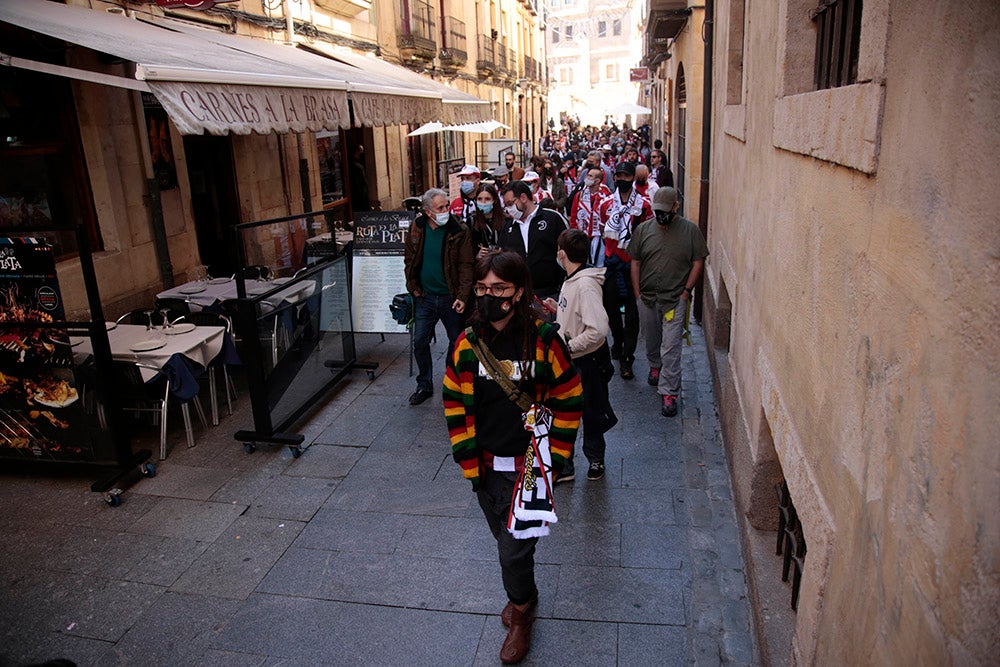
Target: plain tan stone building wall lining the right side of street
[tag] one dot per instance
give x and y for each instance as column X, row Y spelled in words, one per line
column 852, row 295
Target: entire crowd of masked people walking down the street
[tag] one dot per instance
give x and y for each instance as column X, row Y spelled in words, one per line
column 531, row 268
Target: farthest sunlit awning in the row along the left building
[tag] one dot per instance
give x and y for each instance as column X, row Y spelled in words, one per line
column 459, row 107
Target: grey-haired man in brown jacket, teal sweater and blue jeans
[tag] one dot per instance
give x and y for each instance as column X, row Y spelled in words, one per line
column 438, row 262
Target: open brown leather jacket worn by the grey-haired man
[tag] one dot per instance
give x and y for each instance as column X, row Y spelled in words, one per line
column 457, row 257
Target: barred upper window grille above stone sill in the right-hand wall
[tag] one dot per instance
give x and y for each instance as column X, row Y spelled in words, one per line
column 838, row 32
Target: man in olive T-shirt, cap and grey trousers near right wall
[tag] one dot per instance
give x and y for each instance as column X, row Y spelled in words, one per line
column 668, row 257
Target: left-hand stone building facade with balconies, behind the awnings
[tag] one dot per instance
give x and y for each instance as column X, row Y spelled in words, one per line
column 103, row 150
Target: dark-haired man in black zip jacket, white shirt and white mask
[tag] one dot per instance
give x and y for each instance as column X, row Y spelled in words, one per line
column 533, row 233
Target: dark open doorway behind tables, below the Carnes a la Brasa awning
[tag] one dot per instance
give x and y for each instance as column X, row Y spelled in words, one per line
column 214, row 200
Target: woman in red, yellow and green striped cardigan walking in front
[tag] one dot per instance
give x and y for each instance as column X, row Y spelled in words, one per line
column 486, row 427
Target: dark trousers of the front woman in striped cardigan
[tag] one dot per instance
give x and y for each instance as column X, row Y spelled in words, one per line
column 517, row 557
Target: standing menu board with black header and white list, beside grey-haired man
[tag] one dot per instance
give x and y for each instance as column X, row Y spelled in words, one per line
column 379, row 240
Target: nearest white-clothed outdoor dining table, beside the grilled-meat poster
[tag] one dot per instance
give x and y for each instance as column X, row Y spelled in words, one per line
column 180, row 352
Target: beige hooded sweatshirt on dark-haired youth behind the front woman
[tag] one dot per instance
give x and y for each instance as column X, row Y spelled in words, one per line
column 582, row 319
